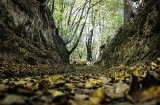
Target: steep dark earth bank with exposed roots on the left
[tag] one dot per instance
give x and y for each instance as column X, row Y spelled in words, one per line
column 28, row 34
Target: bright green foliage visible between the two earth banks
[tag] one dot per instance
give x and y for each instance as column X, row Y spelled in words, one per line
column 107, row 14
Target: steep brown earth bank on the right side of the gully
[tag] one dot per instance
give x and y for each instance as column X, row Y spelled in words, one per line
column 137, row 42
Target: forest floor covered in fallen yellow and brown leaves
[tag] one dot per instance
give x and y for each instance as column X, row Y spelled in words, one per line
column 86, row 85
